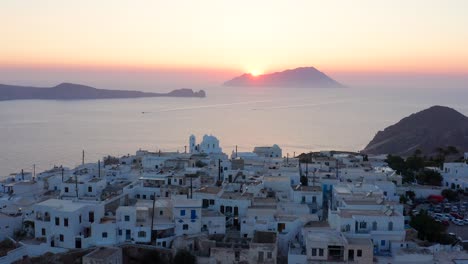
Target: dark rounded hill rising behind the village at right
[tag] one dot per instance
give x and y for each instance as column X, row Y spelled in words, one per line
column 437, row 126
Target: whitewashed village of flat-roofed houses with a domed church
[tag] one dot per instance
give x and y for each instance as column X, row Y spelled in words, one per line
column 264, row 206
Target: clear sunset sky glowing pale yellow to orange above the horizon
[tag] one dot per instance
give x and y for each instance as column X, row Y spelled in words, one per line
column 227, row 37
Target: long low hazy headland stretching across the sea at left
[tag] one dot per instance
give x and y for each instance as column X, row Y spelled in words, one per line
column 70, row 91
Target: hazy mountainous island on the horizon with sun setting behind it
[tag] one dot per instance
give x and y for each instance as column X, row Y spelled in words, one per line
column 305, row 77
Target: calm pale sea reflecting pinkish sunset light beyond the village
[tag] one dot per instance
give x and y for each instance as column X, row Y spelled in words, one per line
column 48, row 133
